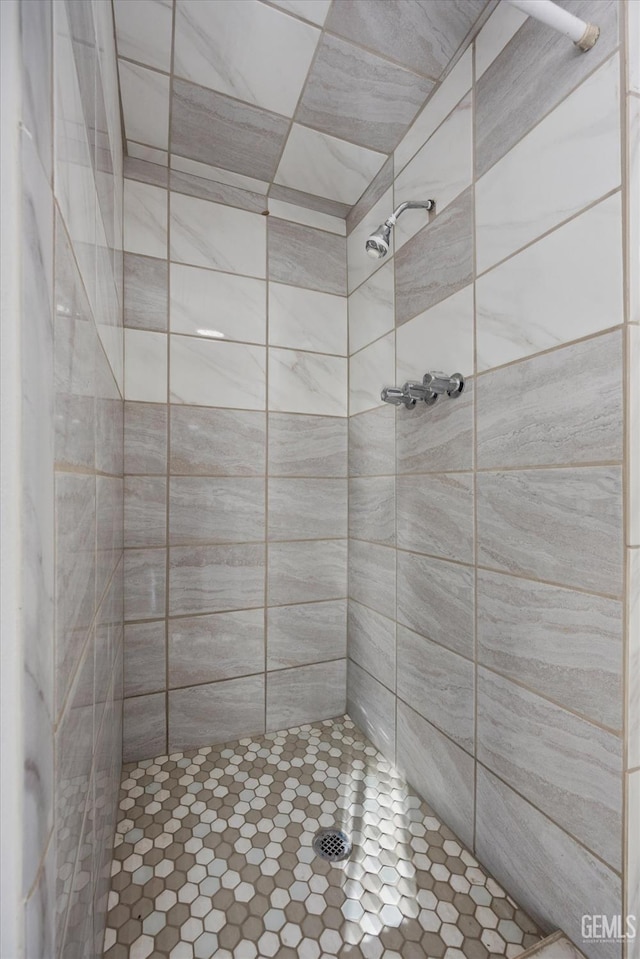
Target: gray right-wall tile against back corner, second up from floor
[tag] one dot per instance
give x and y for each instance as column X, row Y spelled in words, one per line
column 372, row 642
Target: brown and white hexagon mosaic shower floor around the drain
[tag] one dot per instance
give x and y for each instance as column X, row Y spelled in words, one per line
column 214, row 857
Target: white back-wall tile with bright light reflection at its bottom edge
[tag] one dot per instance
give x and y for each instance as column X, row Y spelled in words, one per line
column 239, row 304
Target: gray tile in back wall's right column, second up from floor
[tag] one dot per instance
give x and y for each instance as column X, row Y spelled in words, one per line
column 309, row 633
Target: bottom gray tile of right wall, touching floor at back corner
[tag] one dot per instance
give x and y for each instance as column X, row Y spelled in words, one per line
column 373, row 708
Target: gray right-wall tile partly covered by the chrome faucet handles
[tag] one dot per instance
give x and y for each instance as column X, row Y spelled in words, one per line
column 436, row 438
